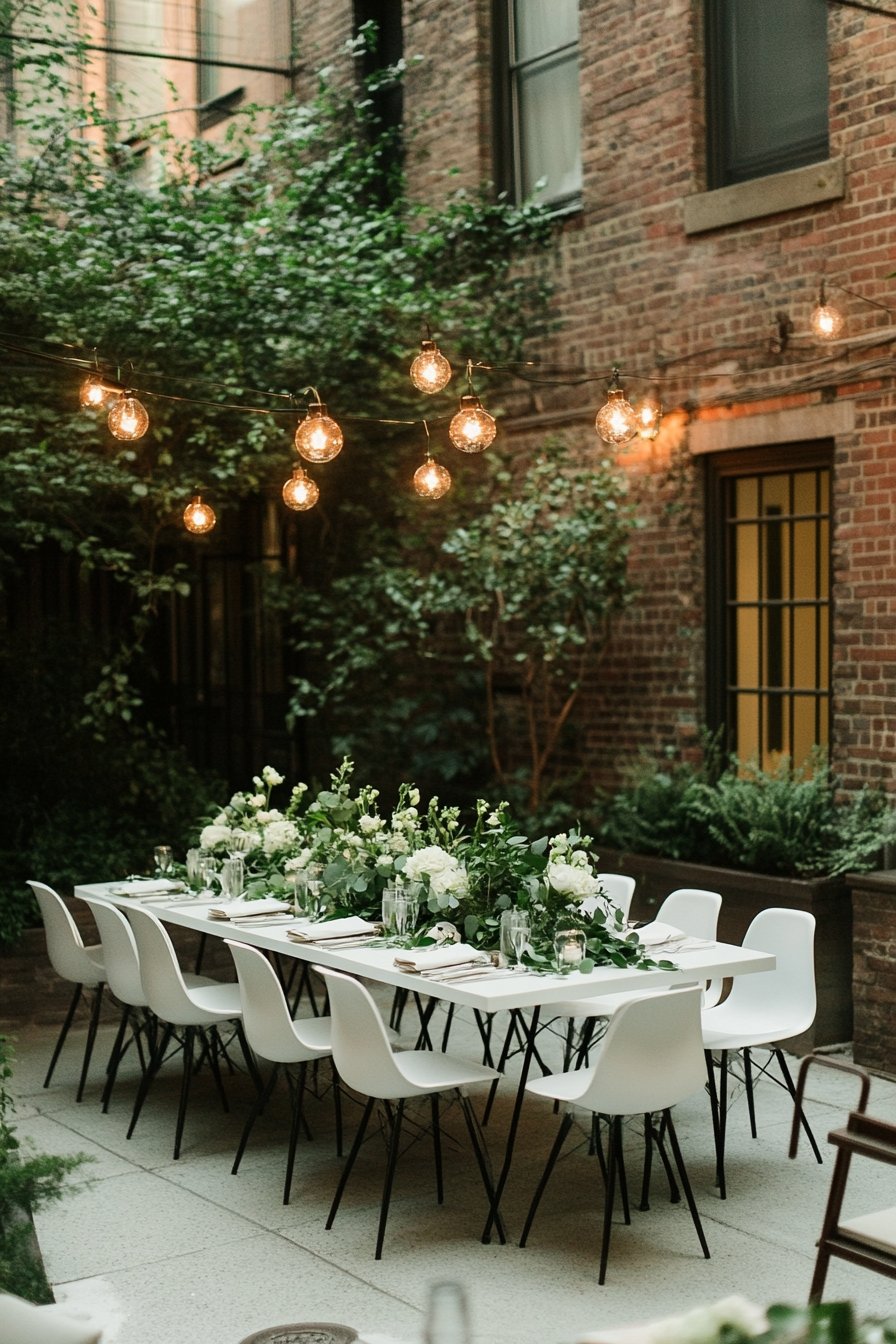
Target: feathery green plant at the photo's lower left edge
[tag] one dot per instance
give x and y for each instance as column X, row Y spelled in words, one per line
column 28, row 1183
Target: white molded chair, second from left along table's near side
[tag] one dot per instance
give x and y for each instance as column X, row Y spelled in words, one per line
column 126, row 983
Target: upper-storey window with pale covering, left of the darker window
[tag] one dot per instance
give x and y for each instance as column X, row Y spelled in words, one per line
column 538, row 107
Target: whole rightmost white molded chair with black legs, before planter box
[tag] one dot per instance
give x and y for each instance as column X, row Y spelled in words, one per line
column 760, row 1013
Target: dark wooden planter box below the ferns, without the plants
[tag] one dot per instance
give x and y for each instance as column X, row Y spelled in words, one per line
column 744, row 896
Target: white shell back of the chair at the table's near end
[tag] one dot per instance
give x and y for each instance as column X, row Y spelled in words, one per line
column 651, row 1058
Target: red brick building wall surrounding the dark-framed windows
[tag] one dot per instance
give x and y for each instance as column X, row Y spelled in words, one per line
column 637, row 290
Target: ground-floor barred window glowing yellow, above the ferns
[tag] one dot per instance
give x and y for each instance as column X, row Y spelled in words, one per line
column 769, row 601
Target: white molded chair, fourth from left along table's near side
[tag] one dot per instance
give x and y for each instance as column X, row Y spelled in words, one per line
column 275, row 1036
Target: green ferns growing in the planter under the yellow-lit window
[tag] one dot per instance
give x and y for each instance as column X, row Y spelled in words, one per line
column 787, row 822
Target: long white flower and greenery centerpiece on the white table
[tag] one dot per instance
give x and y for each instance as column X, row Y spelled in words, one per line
column 465, row 876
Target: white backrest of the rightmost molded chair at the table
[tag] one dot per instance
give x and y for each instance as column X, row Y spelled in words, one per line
column 785, row 998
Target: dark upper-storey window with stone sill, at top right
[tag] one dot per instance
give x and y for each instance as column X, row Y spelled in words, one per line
column 766, row 87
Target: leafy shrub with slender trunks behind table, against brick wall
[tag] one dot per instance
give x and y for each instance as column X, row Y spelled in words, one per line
column 521, row 592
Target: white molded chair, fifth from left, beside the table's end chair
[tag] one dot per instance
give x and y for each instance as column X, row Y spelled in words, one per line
column 366, row 1062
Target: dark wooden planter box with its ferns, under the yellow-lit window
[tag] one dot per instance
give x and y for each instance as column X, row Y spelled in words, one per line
column 782, row 837
